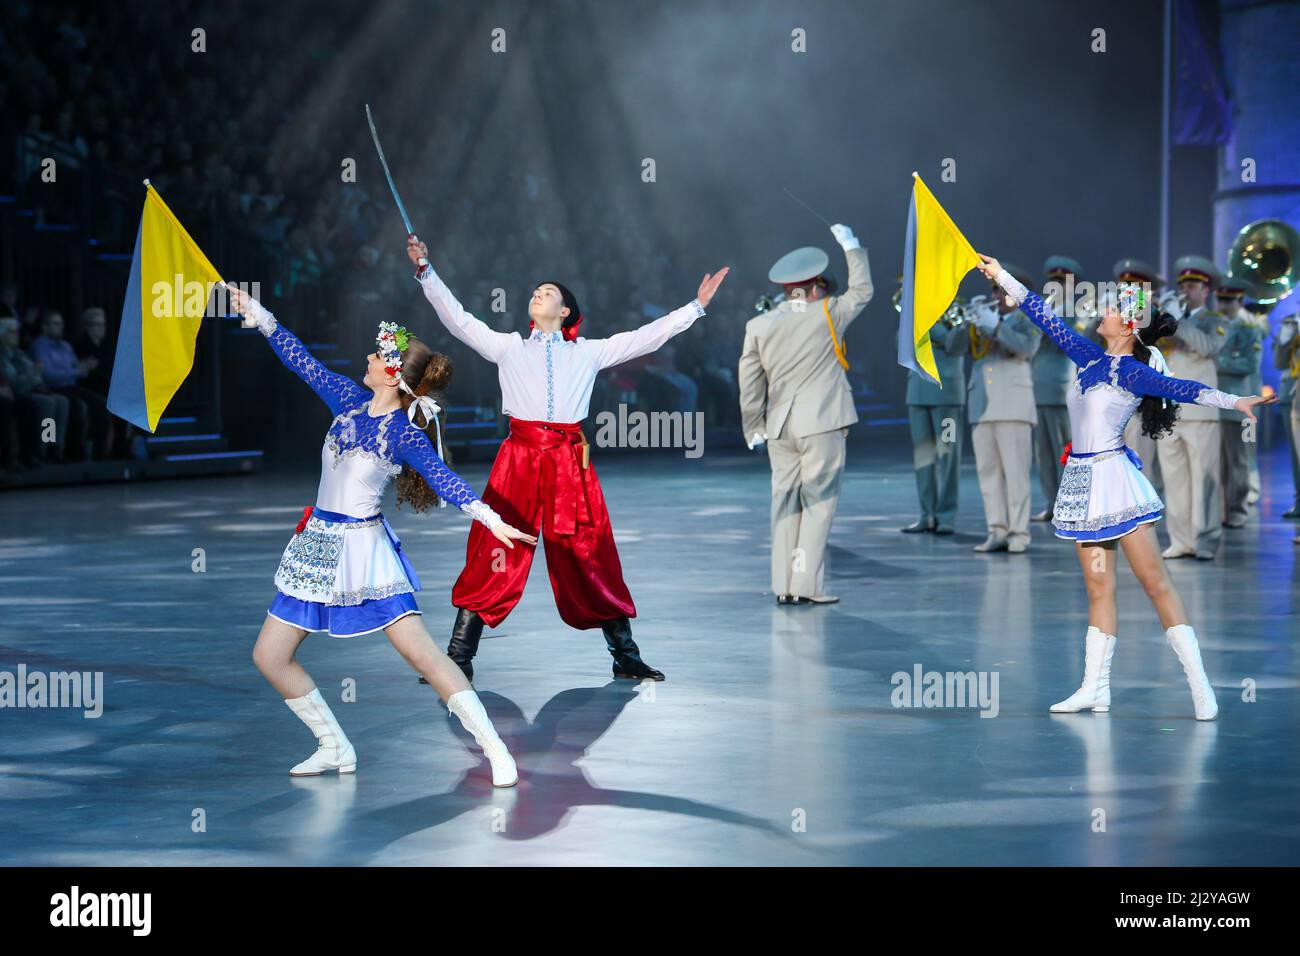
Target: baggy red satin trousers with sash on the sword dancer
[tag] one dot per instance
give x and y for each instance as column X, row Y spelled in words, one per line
column 539, row 482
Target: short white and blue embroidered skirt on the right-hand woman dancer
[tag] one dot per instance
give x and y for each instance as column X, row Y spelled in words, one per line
column 1104, row 496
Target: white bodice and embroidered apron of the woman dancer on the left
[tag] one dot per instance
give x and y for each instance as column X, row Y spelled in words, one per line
column 344, row 564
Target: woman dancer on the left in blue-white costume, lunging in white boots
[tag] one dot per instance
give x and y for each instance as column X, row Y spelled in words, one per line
column 344, row 572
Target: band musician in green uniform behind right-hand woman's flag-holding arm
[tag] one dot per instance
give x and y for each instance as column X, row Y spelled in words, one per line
column 1054, row 375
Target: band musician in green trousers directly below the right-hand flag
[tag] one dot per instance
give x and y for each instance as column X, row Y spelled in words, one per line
column 937, row 417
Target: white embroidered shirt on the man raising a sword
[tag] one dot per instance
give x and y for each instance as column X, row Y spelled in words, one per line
column 544, row 378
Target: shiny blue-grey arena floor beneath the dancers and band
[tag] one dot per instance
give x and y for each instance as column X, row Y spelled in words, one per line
column 774, row 741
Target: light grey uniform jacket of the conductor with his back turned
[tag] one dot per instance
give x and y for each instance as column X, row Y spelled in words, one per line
column 791, row 383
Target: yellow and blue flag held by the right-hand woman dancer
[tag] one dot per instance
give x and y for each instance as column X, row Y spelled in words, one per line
column 937, row 258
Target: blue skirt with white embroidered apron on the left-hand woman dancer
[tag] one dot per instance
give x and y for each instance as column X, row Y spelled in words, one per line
column 345, row 576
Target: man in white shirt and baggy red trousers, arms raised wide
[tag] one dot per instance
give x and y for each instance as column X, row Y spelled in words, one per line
column 543, row 477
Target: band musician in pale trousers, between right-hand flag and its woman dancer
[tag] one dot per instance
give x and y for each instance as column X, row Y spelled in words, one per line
column 1003, row 417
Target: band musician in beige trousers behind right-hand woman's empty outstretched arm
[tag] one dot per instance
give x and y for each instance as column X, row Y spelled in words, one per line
column 1190, row 456
